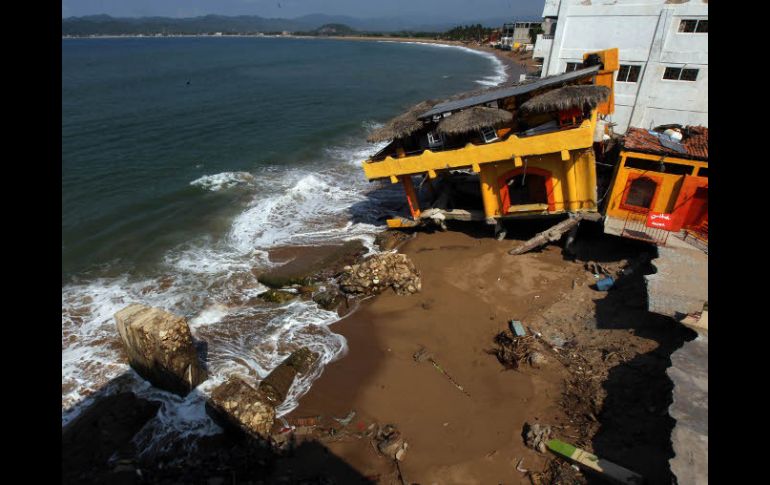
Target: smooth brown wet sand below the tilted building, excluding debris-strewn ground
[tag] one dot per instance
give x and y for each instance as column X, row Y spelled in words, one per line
column 471, row 287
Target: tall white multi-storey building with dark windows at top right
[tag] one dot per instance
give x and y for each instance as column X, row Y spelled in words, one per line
column 663, row 50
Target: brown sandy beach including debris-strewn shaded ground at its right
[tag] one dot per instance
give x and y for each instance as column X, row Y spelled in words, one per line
column 471, row 289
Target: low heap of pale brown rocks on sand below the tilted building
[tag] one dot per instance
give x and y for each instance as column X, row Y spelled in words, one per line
column 380, row 272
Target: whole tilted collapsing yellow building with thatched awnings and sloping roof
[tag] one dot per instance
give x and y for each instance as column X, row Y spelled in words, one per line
column 528, row 146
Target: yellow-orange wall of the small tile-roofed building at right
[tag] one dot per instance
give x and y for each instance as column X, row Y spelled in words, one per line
column 667, row 193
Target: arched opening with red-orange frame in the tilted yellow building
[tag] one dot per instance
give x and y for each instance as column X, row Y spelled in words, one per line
column 528, row 186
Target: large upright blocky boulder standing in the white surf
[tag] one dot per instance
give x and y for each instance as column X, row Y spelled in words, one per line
column 160, row 348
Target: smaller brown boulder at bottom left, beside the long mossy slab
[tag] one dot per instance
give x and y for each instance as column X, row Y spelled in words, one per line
column 235, row 405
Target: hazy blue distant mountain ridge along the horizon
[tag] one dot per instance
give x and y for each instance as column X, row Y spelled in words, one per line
column 249, row 24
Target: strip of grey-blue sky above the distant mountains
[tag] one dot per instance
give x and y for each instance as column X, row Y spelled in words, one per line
column 427, row 9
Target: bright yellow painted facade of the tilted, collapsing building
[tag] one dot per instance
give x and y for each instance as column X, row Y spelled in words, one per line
column 562, row 160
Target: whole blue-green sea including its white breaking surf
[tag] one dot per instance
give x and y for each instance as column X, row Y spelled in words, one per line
column 185, row 160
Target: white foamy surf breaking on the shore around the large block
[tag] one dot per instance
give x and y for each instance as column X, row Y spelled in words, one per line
column 212, row 282
